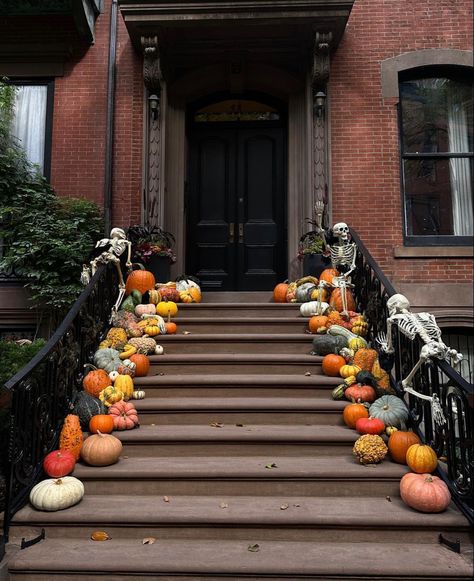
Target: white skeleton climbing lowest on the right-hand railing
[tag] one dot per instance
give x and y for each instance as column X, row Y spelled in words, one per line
column 424, row 325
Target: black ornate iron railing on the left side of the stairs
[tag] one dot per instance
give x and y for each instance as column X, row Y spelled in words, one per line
column 43, row 392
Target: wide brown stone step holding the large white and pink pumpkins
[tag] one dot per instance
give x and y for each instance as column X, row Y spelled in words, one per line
column 317, row 519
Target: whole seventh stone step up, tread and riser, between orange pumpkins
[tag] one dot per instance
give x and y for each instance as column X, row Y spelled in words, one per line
column 229, row 363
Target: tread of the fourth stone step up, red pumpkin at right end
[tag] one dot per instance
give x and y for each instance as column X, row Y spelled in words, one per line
column 232, row 433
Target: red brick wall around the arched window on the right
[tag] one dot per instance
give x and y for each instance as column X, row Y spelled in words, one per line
column 364, row 133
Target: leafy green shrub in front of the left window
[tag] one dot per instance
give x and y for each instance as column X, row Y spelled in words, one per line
column 46, row 238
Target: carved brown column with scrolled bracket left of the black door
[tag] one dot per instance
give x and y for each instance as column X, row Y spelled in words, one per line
column 153, row 211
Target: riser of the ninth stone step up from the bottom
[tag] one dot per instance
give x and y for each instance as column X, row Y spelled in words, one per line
column 216, row 326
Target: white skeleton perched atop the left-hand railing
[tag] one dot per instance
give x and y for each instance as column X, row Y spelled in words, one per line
column 117, row 245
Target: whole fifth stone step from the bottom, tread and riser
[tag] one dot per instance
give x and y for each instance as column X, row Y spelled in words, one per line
column 239, row 410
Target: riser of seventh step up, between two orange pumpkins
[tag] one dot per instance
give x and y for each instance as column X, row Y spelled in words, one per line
column 243, row 368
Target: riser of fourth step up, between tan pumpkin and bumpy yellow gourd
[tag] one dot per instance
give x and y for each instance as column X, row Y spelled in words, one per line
column 205, row 449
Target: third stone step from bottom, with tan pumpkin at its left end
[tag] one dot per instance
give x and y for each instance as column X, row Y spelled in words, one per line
column 243, row 475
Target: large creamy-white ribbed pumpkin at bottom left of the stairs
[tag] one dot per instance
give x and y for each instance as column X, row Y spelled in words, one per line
column 57, row 493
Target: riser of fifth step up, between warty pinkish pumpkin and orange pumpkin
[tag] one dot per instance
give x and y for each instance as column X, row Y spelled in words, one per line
column 244, row 417
